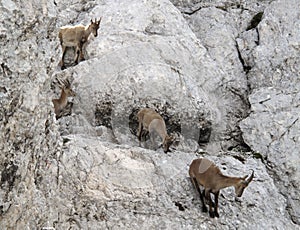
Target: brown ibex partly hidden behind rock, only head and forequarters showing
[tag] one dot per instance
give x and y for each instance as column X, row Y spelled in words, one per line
column 61, row 103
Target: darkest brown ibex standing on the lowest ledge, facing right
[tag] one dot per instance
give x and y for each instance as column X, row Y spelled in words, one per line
column 204, row 172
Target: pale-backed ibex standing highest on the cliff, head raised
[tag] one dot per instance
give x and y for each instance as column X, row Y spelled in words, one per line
column 76, row 36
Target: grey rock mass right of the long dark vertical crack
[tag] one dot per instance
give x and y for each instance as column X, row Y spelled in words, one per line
column 272, row 129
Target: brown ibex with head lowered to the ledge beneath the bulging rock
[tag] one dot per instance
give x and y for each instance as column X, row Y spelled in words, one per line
column 152, row 122
